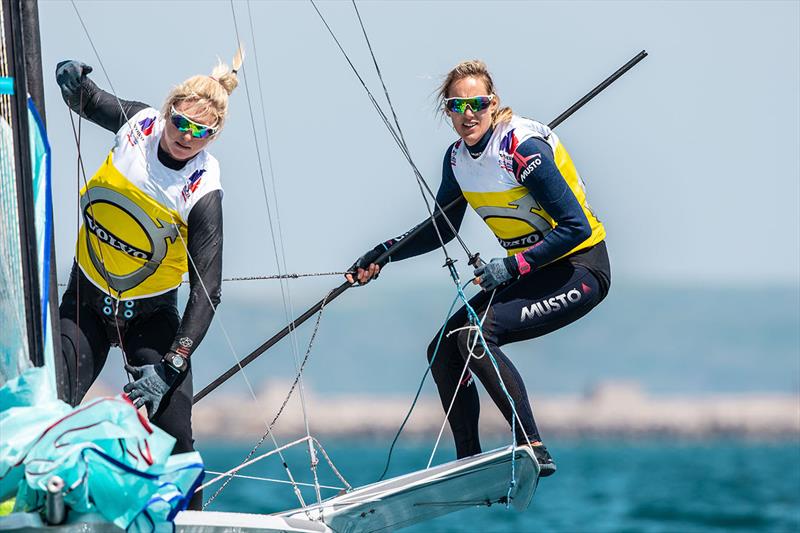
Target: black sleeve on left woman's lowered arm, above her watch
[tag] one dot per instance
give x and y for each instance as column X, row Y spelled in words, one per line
column 205, row 264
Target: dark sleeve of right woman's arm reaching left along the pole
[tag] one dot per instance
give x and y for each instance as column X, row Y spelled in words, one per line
column 427, row 239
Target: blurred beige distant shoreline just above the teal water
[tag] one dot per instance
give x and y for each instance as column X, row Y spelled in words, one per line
column 610, row 410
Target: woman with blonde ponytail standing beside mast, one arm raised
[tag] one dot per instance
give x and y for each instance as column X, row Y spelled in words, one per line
column 151, row 213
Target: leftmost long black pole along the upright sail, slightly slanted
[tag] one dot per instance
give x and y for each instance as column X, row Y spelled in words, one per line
column 13, row 31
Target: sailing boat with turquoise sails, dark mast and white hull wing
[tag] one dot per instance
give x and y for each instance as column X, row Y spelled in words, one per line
column 114, row 458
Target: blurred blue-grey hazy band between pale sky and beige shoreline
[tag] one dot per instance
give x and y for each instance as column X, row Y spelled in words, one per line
column 672, row 340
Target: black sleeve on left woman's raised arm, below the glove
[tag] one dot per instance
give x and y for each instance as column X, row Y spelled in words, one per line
column 100, row 107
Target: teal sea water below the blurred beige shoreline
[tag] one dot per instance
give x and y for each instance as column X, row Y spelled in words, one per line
column 601, row 486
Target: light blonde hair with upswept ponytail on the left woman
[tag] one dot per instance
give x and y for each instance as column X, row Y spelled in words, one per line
column 208, row 93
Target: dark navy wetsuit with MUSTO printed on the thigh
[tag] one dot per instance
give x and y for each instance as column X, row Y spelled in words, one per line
column 544, row 300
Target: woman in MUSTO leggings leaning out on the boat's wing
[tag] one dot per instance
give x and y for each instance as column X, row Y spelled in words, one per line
column 520, row 179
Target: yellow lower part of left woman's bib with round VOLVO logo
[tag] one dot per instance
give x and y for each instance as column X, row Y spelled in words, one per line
column 129, row 243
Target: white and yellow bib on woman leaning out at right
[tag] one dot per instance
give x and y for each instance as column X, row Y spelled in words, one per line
column 508, row 207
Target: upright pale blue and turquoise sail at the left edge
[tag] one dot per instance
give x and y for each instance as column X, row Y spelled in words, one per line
column 18, row 247
